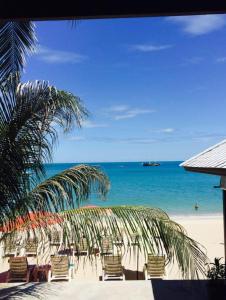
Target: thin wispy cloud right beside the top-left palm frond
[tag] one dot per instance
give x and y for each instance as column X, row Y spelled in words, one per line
column 57, row 56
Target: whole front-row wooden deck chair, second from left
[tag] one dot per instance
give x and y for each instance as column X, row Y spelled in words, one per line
column 60, row 268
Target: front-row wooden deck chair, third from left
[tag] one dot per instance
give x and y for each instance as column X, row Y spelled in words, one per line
column 113, row 268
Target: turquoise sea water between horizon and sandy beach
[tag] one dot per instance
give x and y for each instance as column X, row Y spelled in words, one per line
column 168, row 186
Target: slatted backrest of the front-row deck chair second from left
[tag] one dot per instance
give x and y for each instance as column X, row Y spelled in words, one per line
column 59, row 265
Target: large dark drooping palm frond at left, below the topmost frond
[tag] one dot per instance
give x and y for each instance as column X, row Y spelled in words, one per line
column 27, row 135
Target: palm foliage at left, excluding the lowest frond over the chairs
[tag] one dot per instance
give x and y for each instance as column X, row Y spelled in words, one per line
column 30, row 116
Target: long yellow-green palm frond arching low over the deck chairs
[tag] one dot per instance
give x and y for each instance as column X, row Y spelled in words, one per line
column 158, row 234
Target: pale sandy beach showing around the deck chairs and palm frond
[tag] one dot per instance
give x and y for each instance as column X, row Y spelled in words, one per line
column 207, row 230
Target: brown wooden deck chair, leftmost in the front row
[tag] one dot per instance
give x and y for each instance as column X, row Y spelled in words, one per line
column 18, row 269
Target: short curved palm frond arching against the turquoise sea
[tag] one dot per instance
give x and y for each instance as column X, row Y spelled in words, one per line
column 69, row 188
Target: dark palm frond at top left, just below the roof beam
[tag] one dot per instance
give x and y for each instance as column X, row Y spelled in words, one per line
column 17, row 39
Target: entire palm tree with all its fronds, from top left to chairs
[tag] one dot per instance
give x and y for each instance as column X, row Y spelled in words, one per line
column 29, row 113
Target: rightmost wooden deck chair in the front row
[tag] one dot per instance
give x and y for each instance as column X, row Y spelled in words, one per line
column 155, row 267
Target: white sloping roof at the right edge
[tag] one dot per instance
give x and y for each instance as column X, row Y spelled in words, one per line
column 213, row 157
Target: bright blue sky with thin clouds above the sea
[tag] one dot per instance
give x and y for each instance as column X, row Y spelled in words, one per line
column 155, row 87
